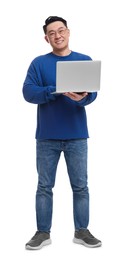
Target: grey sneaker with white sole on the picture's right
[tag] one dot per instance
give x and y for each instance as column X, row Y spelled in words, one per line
column 84, row 237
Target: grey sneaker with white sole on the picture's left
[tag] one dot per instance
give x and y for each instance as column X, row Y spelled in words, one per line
column 39, row 240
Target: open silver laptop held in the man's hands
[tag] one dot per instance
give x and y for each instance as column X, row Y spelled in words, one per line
column 78, row 76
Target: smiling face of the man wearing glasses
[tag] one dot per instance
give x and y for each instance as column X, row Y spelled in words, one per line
column 57, row 35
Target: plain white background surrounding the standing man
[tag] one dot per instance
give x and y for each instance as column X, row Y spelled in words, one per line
column 97, row 29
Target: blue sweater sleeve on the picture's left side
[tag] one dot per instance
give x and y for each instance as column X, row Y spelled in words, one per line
column 34, row 91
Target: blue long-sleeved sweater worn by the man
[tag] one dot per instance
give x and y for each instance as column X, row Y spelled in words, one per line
column 58, row 117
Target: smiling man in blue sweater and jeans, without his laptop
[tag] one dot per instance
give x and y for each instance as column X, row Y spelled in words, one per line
column 61, row 127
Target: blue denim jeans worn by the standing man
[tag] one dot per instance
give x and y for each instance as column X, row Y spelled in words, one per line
column 48, row 154
